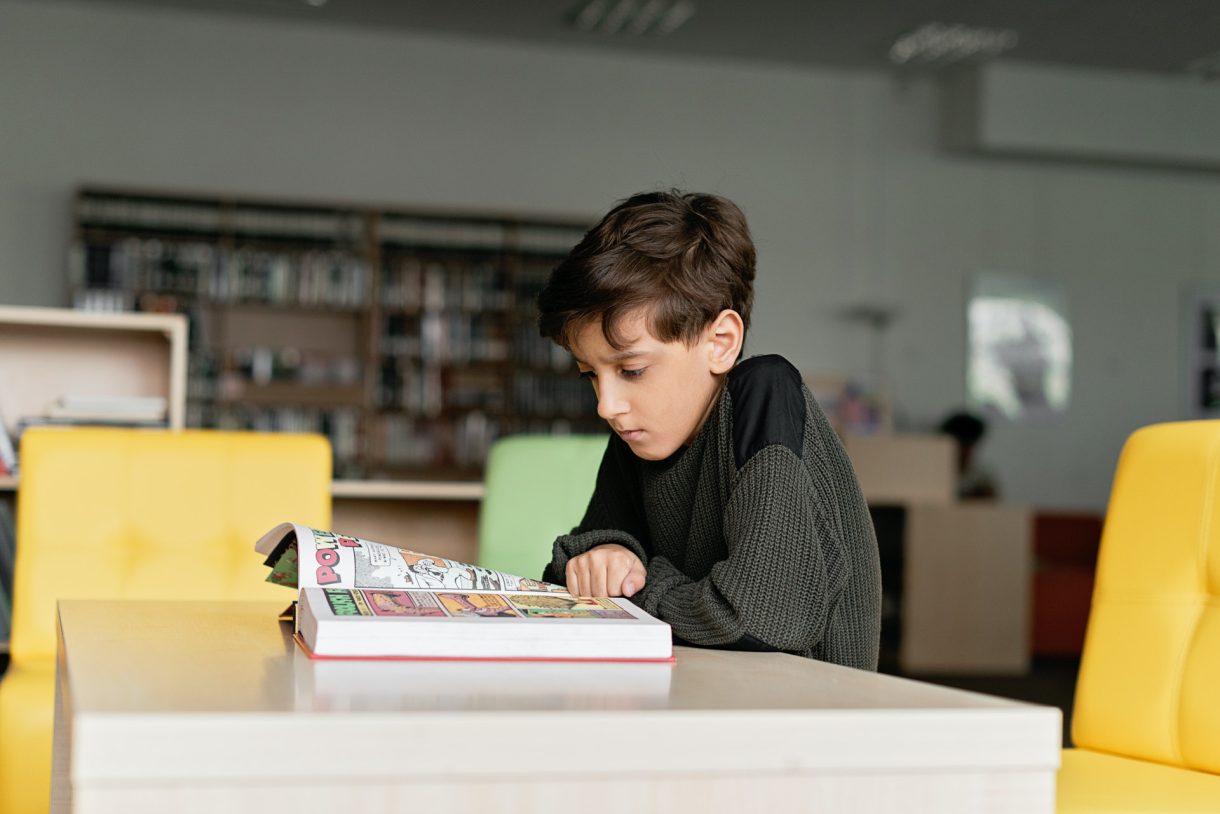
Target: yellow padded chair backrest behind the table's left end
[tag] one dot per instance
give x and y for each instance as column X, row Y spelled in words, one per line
column 145, row 514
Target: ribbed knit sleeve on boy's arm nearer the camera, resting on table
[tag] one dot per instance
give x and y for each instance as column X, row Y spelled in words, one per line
column 785, row 572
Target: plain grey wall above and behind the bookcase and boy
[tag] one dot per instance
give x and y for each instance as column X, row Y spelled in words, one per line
column 850, row 197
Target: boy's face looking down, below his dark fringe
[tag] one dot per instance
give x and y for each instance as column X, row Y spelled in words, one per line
column 655, row 395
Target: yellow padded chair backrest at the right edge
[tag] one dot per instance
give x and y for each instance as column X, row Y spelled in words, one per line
column 1150, row 679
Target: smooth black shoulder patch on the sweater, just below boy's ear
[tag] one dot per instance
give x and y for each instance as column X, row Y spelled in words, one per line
column 769, row 407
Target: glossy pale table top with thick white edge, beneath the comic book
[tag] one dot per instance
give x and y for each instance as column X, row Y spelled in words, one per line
column 159, row 689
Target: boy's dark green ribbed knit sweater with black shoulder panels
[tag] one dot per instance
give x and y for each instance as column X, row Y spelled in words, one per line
column 756, row 536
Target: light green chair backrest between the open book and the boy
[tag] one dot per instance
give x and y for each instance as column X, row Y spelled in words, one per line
column 537, row 489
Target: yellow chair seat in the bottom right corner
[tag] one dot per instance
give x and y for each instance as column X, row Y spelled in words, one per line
column 1093, row 783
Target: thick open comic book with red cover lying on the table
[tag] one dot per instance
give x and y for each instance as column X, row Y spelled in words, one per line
column 365, row 600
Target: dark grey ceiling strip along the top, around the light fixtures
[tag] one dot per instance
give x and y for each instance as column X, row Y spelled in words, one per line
column 1160, row 36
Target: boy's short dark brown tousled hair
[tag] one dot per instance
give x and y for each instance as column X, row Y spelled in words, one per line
column 681, row 257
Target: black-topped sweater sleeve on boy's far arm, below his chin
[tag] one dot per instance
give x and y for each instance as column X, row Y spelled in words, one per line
column 613, row 516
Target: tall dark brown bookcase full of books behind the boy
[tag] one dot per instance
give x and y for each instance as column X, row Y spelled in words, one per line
column 408, row 337
